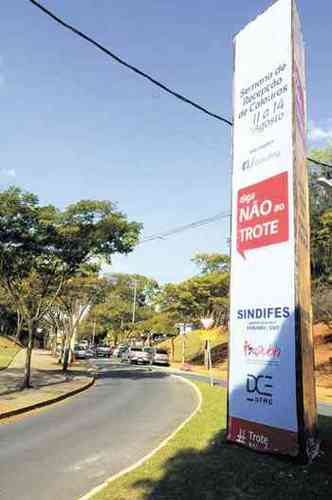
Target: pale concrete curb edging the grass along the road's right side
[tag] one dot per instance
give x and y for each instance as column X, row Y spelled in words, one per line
column 140, row 462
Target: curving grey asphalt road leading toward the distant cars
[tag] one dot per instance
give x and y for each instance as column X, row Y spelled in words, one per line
column 64, row 451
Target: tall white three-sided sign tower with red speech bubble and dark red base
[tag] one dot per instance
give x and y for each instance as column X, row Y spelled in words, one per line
column 269, row 212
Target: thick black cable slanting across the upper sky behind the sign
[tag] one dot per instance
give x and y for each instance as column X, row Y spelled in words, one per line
column 140, row 72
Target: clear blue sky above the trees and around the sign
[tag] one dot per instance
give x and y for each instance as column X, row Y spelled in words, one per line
column 77, row 125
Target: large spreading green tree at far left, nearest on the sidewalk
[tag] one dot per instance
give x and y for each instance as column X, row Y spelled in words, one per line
column 42, row 247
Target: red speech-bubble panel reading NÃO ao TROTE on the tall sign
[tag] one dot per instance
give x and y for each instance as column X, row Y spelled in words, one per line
column 262, row 214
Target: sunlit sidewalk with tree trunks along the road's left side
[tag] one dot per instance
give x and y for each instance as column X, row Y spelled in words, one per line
column 48, row 381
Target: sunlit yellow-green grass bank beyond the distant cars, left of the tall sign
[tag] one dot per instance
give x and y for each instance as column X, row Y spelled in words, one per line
column 194, row 345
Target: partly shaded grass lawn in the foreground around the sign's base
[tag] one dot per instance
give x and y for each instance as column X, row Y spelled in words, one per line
column 198, row 464
